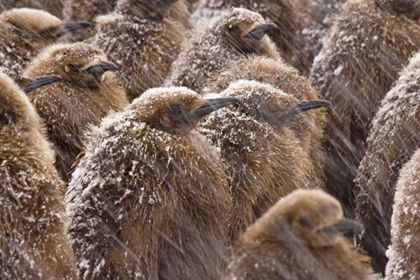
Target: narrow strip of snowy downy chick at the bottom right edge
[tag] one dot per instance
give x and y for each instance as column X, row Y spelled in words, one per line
column 403, row 253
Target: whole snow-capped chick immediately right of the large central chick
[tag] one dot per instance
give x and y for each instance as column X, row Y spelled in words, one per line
column 264, row 159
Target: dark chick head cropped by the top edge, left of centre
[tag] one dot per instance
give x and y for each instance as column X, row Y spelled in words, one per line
column 148, row 9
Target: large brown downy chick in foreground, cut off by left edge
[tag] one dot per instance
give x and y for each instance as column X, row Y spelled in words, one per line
column 33, row 243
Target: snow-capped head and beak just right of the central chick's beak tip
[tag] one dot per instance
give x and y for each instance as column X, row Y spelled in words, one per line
column 267, row 103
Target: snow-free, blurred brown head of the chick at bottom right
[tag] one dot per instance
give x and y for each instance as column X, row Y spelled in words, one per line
column 314, row 217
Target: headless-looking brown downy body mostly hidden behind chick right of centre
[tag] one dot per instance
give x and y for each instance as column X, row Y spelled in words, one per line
column 308, row 127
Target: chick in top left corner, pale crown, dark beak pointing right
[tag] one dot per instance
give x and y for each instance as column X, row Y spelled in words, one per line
column 26, row 31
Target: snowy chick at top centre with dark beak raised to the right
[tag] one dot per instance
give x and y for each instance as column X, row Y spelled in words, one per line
column 229, row 37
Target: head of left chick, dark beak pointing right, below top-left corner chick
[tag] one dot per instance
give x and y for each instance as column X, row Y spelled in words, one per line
column 80, row 64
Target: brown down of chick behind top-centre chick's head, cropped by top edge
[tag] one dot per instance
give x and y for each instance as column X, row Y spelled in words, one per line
column 281, row 12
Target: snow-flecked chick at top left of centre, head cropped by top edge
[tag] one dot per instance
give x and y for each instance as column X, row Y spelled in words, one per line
column 142, row 40
